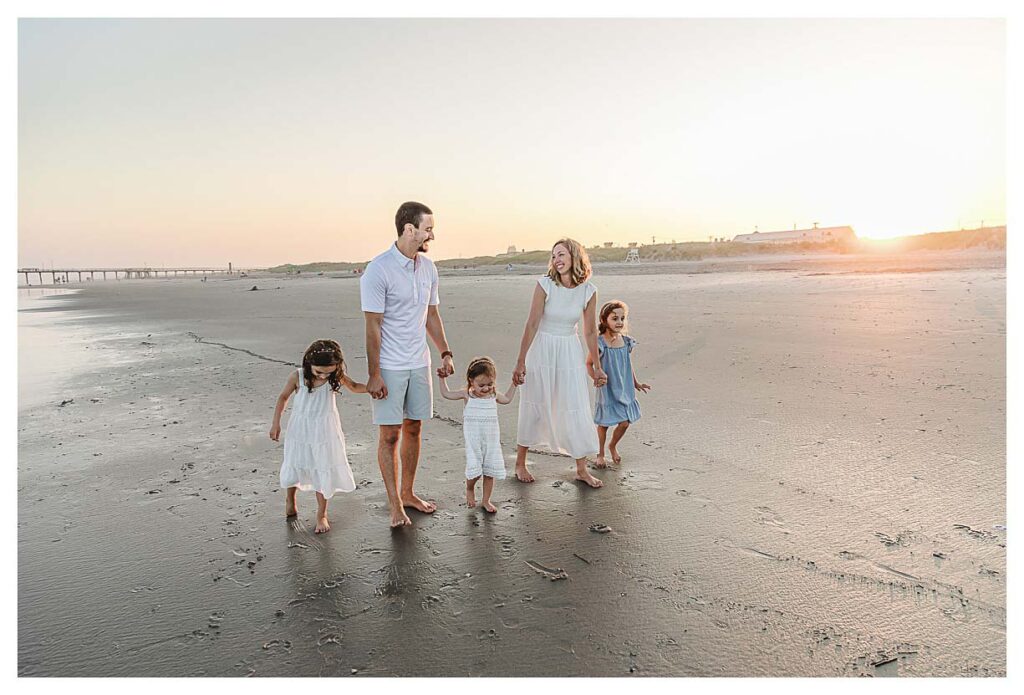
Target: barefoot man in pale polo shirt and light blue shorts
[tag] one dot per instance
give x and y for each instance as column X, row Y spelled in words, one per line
column 399, row 293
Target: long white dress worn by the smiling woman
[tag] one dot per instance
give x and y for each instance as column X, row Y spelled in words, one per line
column 554, row 402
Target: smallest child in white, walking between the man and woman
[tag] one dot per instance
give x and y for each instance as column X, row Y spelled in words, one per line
column 480, row 427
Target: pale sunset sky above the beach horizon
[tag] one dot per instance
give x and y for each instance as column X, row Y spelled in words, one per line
column 186, row 143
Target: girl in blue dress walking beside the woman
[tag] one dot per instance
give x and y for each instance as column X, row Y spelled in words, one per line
column 617, row 402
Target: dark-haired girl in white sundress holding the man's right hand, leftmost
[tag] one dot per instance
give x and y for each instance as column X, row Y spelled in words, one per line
column 315, row 444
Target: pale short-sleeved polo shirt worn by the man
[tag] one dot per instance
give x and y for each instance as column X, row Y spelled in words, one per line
column 402, row 289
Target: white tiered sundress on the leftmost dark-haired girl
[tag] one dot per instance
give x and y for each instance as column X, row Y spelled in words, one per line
column 315, row 445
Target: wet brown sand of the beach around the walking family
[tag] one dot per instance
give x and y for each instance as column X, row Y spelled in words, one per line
column 818, row 488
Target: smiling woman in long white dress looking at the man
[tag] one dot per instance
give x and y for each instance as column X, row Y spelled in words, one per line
column 554, row 405
